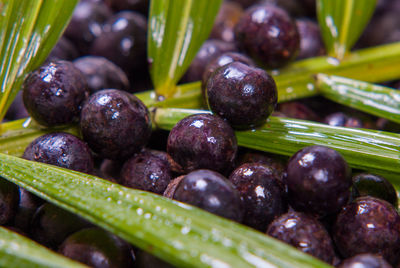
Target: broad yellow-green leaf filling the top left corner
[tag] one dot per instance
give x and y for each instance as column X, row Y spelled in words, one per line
column 28, row 31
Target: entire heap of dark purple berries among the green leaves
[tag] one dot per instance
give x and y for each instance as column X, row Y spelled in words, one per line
column 310, row 201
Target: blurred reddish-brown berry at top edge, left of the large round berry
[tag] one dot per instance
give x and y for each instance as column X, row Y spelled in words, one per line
column 224, row 24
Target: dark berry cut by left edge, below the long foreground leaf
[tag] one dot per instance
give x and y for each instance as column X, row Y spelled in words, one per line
column 9, row 198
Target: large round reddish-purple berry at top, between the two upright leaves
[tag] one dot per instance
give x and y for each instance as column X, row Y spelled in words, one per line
column 268, row 34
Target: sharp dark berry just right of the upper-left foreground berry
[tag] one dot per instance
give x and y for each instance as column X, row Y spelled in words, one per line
column 115, row 124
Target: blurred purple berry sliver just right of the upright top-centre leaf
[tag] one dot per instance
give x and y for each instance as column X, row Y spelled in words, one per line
column 208, row 52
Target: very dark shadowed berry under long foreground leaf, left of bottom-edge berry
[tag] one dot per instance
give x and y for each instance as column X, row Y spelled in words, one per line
column 51, row 225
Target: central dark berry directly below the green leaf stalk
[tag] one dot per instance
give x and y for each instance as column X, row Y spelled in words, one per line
column 202, row 141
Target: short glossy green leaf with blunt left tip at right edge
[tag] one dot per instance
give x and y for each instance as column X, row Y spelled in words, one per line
column 374, row 99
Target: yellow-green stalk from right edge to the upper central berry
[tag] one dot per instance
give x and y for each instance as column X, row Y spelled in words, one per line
column 377, row 64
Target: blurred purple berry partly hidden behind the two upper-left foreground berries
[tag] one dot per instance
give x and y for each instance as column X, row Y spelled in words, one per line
column 101, row 73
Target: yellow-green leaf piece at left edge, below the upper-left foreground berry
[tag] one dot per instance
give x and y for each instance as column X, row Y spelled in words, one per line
column 17, row 135
